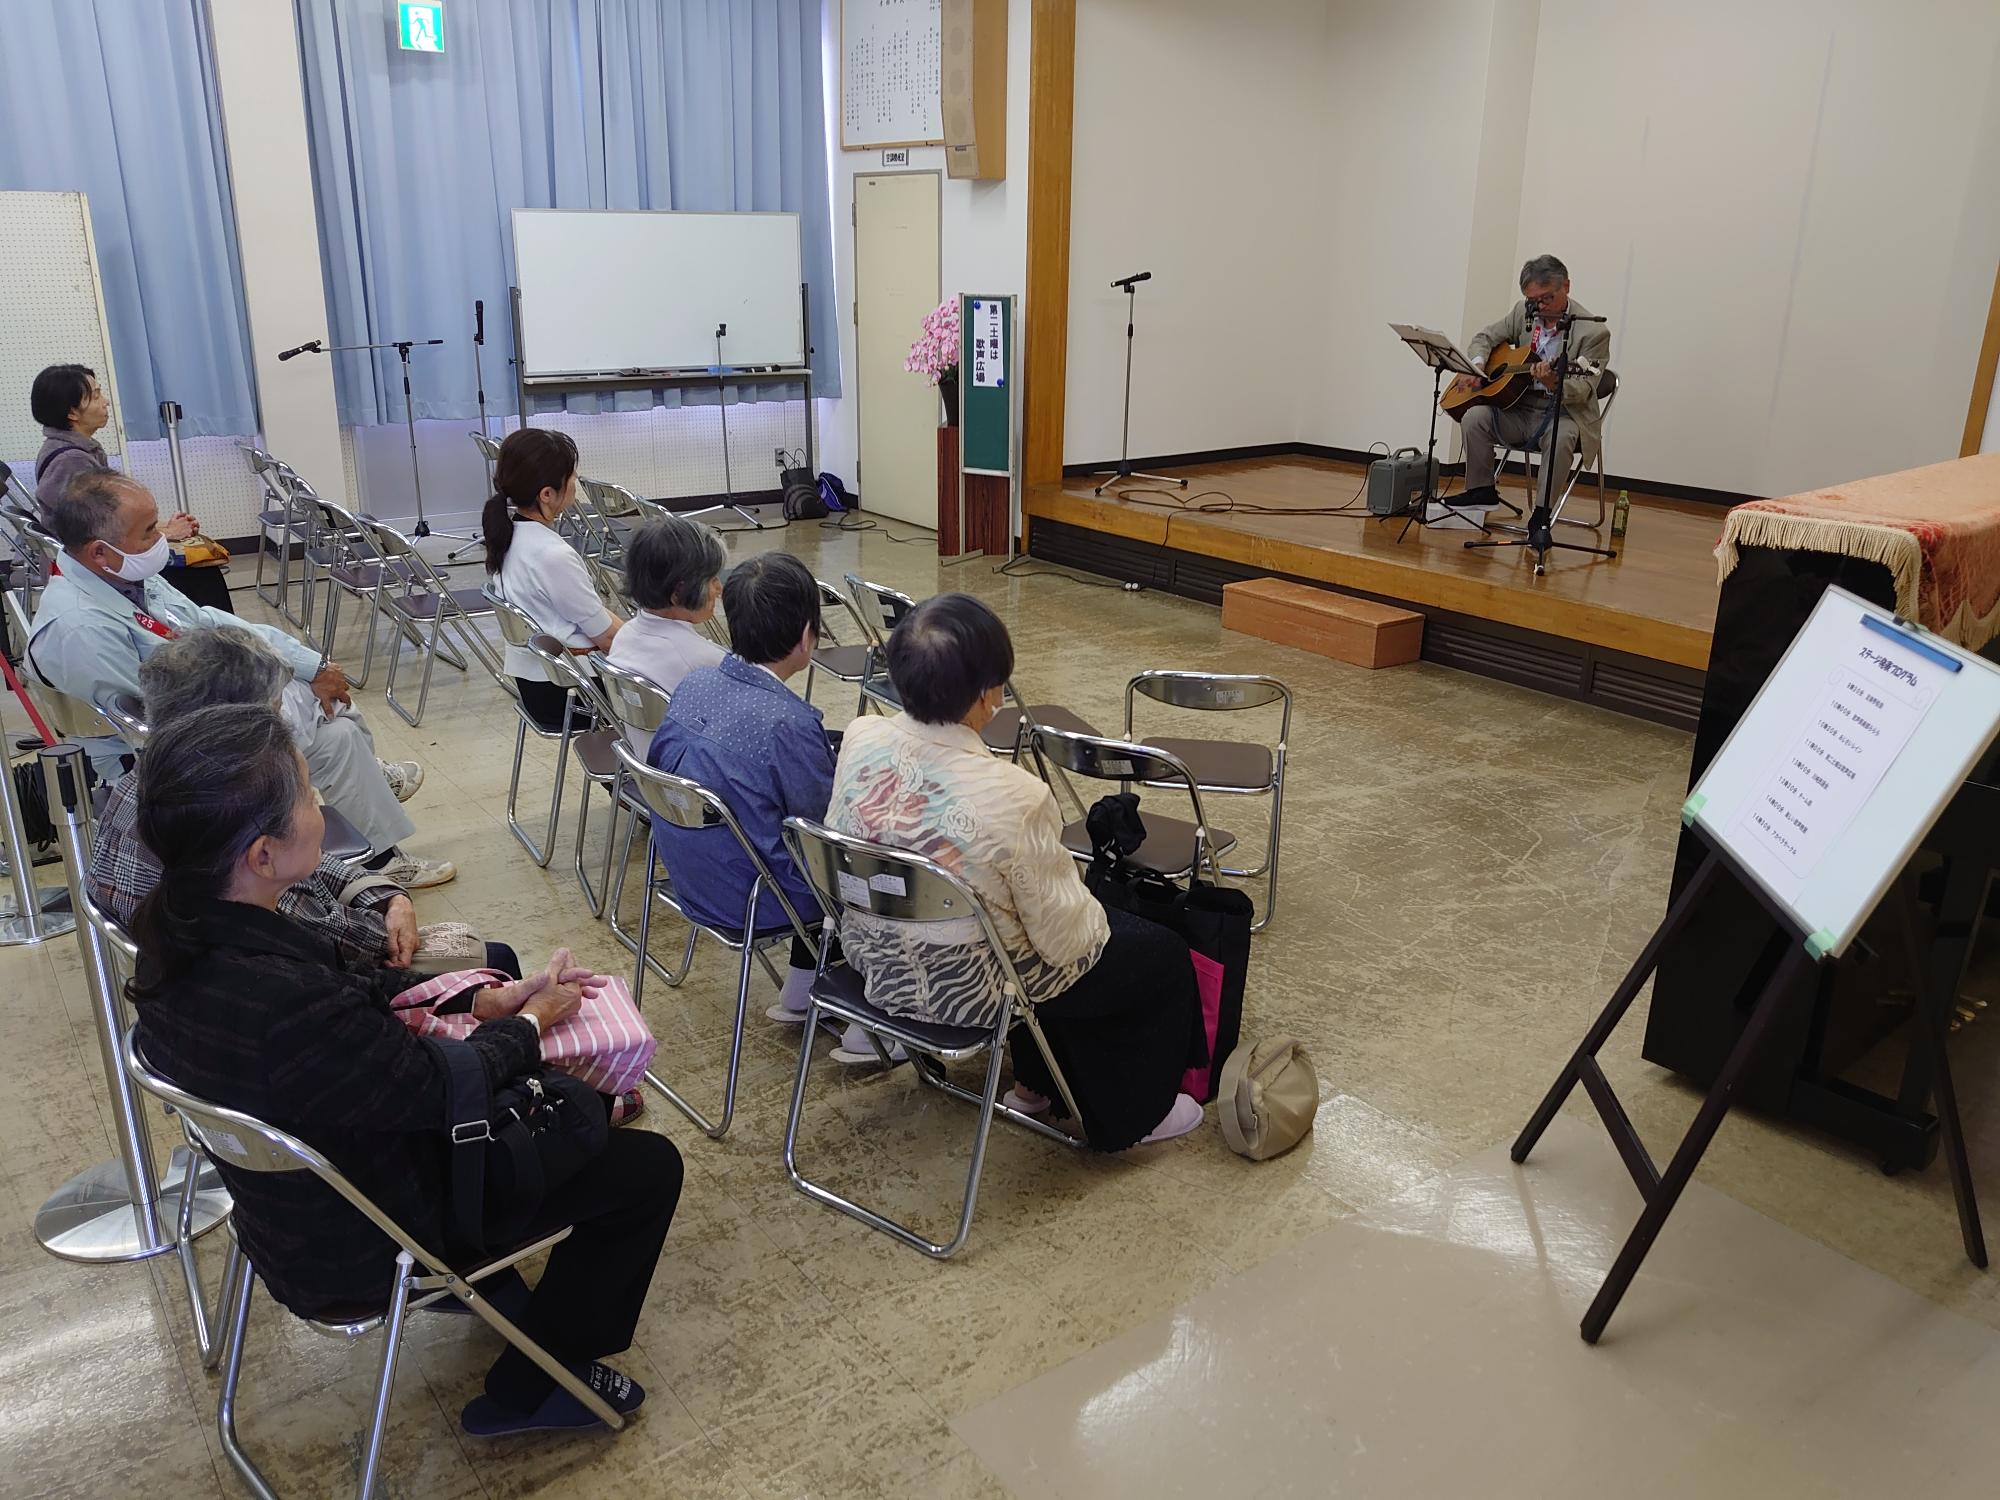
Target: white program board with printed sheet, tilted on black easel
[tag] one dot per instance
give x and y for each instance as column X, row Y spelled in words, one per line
column 1845, row 761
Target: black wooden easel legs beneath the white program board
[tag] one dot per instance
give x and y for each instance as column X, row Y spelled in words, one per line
column 1663, row 1189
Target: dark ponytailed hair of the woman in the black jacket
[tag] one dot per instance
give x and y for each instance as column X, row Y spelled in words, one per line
column 209, row 787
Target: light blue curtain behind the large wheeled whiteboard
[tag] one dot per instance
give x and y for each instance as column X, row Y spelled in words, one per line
column 419, row 163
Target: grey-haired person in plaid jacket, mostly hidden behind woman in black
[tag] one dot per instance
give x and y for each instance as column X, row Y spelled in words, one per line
column 363, row 913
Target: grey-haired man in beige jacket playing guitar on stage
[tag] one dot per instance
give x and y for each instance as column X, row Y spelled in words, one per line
column 1545, row 289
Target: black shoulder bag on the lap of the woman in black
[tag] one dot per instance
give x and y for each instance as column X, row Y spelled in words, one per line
column 513, row 1145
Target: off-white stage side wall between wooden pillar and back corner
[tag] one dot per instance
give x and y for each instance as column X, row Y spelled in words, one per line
column 1195, row 143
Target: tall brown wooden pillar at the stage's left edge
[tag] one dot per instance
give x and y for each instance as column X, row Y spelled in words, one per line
column 1047, row 313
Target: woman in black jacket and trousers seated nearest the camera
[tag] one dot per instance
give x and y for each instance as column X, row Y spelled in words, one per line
column 259, row 1013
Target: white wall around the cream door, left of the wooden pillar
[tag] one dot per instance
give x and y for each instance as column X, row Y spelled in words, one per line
column 983, row 227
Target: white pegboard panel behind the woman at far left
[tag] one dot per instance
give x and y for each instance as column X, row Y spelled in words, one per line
column 53, row 313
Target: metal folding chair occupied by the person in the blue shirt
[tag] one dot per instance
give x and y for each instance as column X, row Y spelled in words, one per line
column 691, row 805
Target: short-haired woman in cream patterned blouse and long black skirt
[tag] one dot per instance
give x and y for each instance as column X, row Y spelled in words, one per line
column 1115, row 993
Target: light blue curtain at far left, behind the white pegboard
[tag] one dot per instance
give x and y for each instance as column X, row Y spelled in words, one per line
column 117, row 99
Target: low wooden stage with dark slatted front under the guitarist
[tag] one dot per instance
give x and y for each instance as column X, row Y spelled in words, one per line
column 1629, row 635
